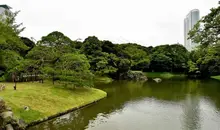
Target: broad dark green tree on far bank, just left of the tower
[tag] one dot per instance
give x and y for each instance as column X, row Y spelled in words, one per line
column 169, row 58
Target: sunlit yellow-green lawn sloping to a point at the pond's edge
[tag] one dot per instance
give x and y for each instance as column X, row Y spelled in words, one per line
column 46, row 99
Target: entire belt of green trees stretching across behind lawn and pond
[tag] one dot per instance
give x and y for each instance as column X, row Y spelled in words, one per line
column 59, row 58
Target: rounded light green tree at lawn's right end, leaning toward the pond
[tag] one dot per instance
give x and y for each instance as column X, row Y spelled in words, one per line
column 74, row 69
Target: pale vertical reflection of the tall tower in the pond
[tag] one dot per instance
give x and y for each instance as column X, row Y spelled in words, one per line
column 191, row 113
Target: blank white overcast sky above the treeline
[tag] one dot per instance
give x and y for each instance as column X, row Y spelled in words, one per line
column 146, row 22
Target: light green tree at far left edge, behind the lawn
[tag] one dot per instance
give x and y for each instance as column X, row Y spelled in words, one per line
column 11, row 48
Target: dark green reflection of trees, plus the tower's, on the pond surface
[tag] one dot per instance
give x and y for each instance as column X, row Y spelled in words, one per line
column 119, row 93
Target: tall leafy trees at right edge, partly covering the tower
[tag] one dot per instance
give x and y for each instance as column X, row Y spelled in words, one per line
column 205, row 60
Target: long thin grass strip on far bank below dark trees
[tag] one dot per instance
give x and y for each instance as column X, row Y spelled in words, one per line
column 165, row 75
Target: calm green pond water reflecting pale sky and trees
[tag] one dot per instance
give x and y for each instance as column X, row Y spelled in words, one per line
column 169, row 105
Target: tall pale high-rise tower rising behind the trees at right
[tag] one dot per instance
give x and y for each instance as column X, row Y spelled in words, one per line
column 191, row 19
